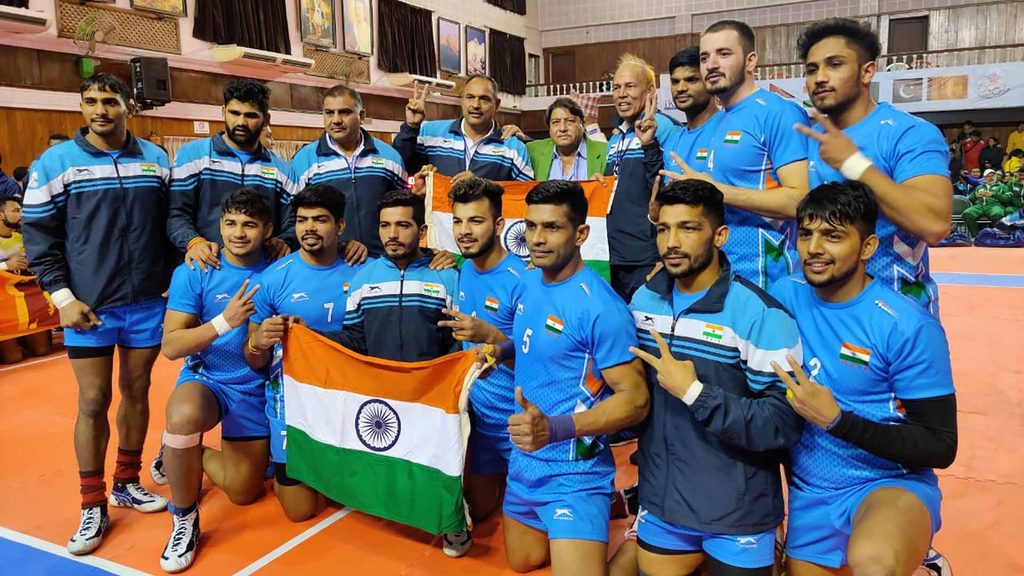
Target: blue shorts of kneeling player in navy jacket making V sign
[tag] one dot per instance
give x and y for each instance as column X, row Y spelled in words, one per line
column 741, row 551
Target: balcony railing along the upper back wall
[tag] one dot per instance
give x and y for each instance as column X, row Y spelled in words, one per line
column 889, row 63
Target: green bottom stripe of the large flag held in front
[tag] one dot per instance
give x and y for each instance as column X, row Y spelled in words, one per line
column 378, row 485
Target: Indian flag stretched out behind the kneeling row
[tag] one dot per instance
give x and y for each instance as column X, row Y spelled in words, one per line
column 595, row 251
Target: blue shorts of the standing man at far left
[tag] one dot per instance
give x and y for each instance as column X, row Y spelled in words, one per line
column 136, row 326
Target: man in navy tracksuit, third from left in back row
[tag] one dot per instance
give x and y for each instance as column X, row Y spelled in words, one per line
column 349, row 159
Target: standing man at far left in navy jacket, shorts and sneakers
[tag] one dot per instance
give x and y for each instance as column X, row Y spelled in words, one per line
column 96, row 212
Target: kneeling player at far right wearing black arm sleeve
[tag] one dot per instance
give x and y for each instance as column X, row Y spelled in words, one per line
column 879, row 401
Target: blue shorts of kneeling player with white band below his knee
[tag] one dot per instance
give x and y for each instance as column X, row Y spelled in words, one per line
column 243, row 415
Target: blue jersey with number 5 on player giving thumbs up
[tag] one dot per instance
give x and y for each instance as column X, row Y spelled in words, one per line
column 566, row 334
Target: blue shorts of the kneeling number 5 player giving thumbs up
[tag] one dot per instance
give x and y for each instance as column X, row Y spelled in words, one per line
column 578, row 516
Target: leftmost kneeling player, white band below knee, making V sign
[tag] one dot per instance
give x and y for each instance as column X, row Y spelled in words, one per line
column 205, row 313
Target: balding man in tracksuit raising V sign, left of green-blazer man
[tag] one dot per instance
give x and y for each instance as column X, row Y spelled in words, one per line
column 471, row 145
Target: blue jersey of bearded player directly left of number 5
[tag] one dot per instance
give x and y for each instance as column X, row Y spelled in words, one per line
column 484, row 295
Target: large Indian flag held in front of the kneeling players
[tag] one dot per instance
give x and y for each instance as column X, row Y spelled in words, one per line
column 386, row 438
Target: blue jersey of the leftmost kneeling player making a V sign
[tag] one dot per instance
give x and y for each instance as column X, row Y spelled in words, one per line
column 206, row 295
